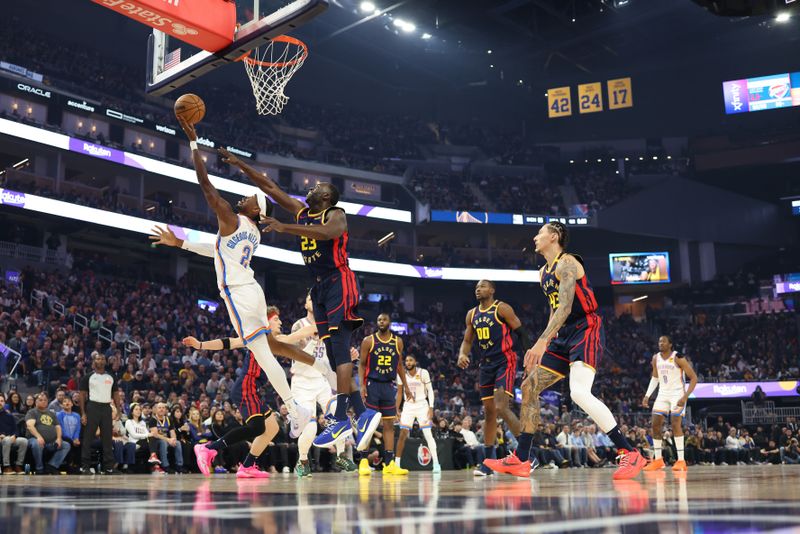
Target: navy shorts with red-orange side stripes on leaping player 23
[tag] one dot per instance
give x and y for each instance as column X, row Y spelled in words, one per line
column 335, row 300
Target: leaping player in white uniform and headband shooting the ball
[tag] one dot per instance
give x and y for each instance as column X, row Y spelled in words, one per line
column 236, row 243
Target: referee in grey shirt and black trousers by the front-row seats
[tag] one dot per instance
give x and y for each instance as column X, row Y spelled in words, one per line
column 99, row 387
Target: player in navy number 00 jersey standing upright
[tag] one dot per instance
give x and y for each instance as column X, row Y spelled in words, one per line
column 488, row 337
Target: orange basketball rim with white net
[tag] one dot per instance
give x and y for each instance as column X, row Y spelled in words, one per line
column 270, row 68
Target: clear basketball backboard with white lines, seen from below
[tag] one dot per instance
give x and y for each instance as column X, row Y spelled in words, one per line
column 173, row 63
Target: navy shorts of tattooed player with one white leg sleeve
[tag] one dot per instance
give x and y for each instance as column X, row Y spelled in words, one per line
column 582, row 341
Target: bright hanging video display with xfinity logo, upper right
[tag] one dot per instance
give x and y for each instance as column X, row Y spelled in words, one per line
column 765, row 92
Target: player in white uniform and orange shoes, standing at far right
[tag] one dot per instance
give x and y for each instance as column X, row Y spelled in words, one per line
column 670, row 370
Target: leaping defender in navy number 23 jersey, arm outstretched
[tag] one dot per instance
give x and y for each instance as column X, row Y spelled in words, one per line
column 322, row 240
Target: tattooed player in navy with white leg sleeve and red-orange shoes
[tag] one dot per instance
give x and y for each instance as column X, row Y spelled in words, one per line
column 571, row 344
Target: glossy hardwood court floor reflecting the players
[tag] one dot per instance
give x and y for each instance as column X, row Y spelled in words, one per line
column 707, row 499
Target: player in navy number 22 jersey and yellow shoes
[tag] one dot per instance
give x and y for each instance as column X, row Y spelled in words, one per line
column 380, row 365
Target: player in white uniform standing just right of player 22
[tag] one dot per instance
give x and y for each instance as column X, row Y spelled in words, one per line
column 419, row 407
